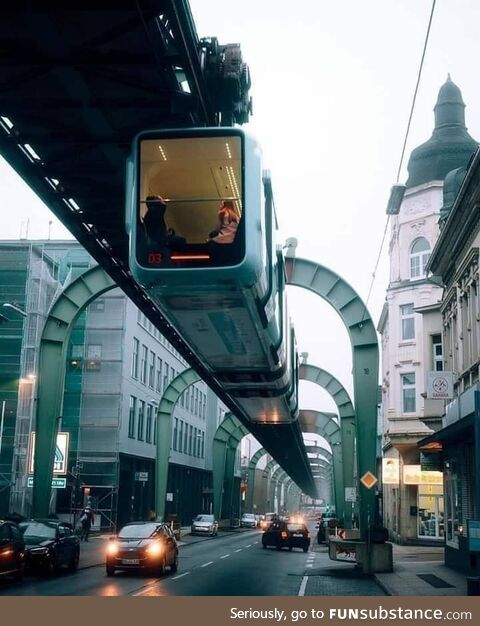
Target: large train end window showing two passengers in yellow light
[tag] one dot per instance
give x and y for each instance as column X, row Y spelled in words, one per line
column 190, row 203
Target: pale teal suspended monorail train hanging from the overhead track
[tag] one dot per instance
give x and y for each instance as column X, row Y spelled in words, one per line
column 202, row 227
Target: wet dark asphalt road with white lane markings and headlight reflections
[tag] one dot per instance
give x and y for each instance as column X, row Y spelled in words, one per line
column 232, row 564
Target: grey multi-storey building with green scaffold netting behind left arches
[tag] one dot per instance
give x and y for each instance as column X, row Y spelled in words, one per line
column 118, row 366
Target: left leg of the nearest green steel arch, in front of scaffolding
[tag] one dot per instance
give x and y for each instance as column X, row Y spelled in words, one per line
column 51, row 375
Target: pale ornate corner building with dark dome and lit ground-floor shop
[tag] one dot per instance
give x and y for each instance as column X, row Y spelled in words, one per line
column 411, row 329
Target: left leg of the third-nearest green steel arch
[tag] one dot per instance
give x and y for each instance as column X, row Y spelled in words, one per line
column 225, row 443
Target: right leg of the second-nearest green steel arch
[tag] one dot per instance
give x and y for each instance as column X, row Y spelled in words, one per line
column 346, row 412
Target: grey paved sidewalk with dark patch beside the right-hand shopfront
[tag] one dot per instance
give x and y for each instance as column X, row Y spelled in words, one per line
column 420, row 571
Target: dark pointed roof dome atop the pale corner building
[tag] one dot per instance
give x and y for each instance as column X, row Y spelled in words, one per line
column 450, row 145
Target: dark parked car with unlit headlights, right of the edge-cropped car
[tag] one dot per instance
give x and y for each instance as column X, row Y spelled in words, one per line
column 50, row 545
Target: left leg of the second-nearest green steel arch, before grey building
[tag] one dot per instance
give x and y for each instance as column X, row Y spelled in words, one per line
column 164, row 434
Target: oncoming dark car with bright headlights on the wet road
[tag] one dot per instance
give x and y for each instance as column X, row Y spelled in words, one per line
column 148, row 546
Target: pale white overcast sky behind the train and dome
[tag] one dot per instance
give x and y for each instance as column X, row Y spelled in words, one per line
column 332, row 84
